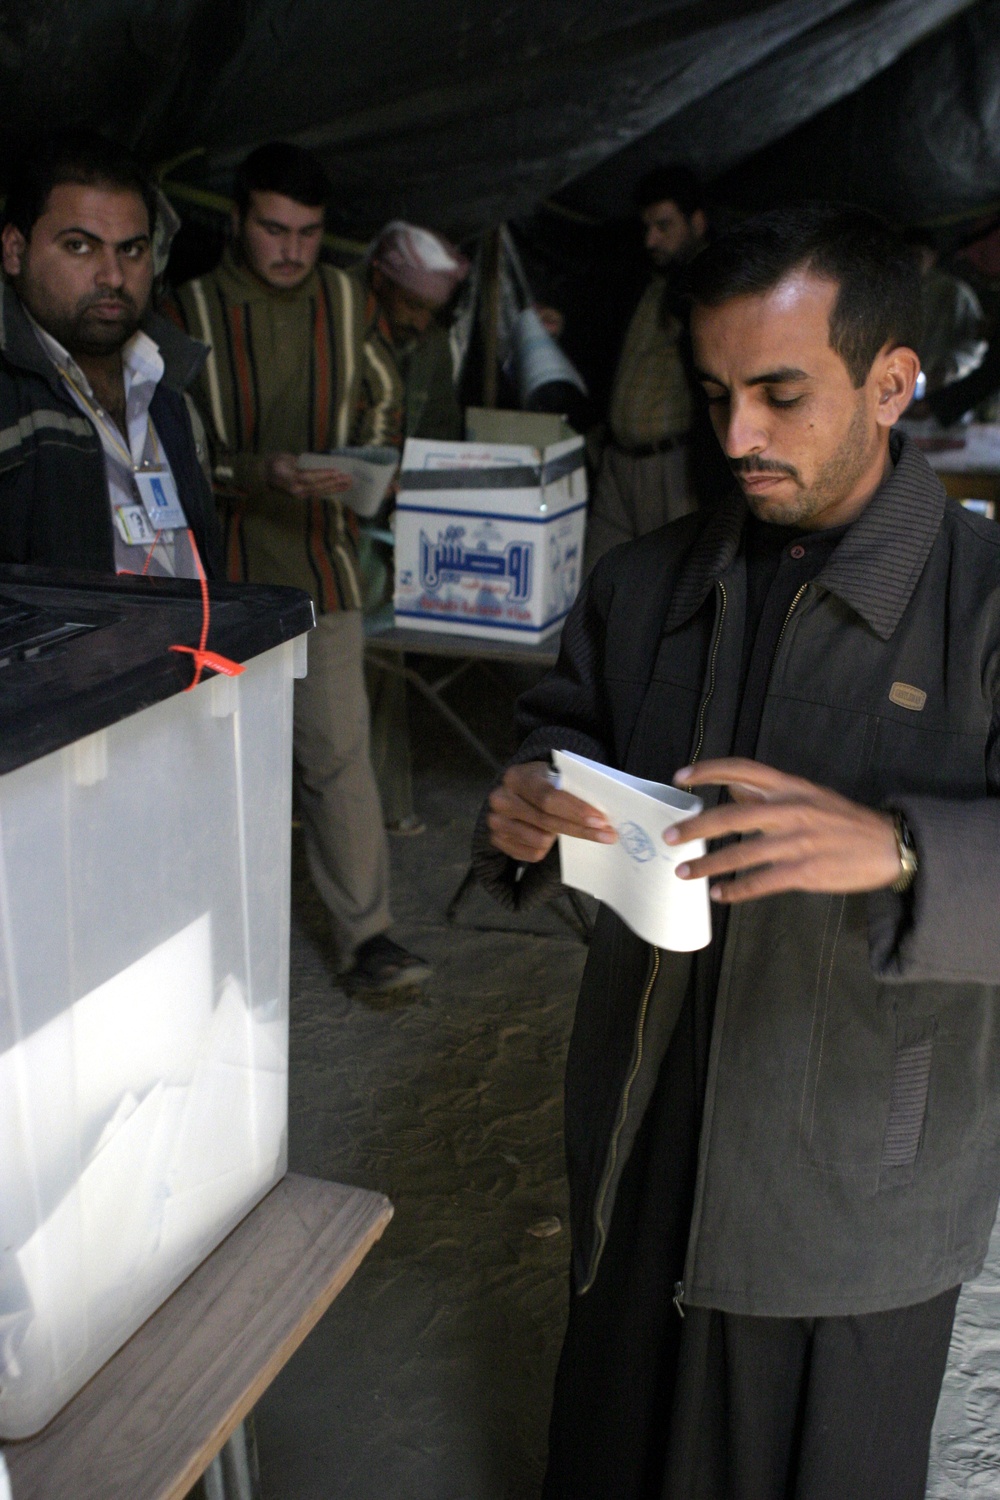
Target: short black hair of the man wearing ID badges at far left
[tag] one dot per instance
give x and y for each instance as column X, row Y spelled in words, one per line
column 73, row 157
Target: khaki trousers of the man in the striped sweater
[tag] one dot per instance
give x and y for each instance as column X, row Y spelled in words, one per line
column 335, row 785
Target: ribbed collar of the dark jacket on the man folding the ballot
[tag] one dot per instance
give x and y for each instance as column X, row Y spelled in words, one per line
column 876, row 566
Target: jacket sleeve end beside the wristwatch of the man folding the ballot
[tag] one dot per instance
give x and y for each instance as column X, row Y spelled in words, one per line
column 945, row 928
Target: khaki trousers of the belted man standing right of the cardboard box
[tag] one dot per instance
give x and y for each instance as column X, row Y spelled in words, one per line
column 636, row 496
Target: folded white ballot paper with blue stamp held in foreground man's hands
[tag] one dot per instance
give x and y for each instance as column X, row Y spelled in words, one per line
column 638, row 875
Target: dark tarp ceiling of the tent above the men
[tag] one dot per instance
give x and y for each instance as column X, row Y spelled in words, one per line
column 461, row 113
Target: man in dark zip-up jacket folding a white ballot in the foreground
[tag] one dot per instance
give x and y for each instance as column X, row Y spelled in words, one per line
column 785, row 1148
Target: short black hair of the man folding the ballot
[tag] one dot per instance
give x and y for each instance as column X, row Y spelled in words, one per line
column 879, row 298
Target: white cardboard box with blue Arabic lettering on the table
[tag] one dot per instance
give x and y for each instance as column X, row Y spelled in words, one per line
column 490, row 538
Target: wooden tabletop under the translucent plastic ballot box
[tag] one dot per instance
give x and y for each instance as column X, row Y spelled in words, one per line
column 151, row 1423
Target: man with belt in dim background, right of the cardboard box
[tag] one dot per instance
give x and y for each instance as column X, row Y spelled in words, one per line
column 645, row 475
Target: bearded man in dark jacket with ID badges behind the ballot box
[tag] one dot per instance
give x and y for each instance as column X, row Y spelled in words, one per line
column 98, row 458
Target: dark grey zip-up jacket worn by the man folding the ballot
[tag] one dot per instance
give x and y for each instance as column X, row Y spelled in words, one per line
column 851, row 1145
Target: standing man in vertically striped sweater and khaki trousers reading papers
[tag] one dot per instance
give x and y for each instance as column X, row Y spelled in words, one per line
column 290, row 371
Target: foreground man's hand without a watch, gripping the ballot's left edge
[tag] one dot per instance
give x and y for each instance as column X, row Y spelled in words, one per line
column 528, row 812
